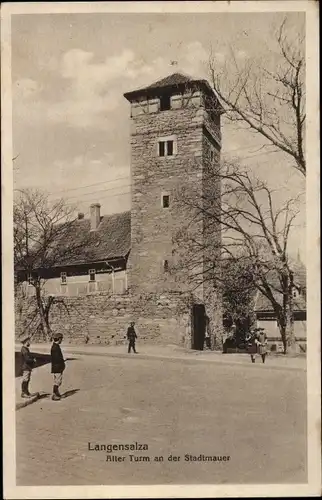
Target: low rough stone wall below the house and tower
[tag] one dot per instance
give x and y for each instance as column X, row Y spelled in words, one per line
column 103, row 319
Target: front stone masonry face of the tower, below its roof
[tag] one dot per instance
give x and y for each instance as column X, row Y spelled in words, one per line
column 153, row 227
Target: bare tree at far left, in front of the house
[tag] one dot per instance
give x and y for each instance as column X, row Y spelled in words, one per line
column 44, row 237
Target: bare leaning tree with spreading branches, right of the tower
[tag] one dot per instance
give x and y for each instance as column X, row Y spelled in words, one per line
column 254, row 229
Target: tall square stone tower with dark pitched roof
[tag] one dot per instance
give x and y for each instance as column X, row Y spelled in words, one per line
column 175, row 147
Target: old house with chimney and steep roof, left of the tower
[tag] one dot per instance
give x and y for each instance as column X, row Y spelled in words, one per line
column 100, row 262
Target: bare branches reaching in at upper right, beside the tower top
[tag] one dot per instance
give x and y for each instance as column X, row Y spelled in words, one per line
column 270, row 101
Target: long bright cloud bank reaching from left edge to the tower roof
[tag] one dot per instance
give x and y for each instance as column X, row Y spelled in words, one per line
column 92, row 90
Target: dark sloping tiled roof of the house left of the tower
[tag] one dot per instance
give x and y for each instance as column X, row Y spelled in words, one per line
column 111, row 240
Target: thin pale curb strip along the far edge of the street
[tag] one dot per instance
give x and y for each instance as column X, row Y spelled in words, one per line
column 174, row 358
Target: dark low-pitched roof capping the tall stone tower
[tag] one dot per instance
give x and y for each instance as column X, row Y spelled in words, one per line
column 176, row 81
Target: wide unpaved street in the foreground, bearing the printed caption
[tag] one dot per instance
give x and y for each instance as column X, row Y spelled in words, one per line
column 253, row 415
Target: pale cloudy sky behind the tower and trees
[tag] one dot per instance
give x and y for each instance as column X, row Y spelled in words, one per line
column 71, row 123
